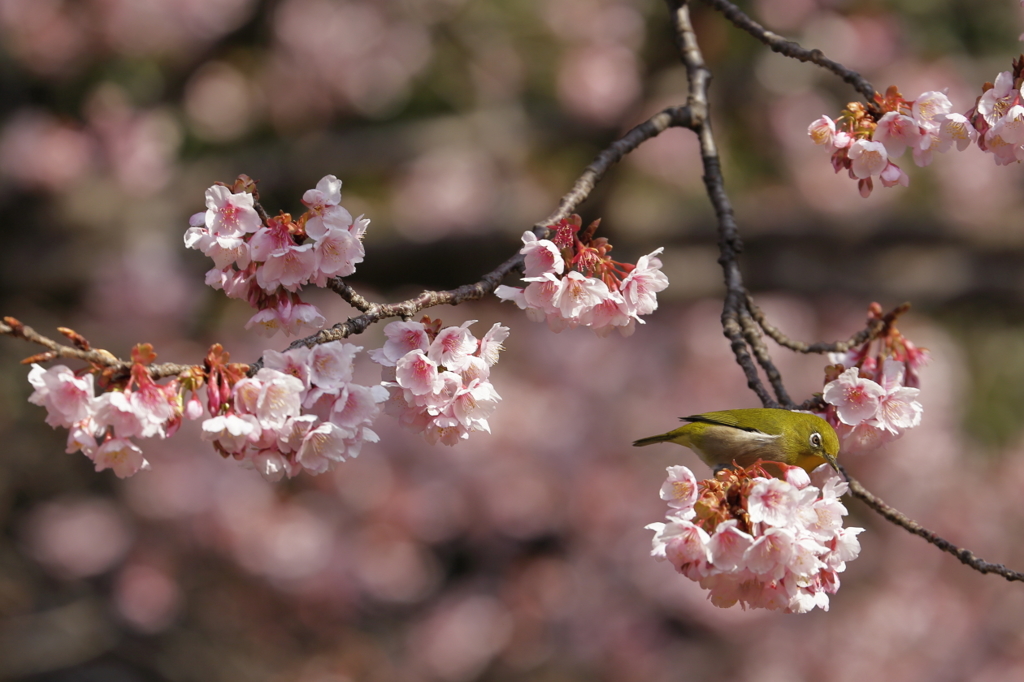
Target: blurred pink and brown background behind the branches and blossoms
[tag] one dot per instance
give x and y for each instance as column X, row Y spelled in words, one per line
column 455, row 125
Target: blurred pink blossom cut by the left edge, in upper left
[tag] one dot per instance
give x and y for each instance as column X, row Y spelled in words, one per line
column 39, row 152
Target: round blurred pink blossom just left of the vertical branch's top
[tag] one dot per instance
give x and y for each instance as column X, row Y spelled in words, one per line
column 599, row 83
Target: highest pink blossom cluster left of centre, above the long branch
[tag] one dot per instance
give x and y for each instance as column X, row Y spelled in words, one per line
column 268, row 263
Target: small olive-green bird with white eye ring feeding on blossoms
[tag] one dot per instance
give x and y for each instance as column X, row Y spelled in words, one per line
column 746, row 436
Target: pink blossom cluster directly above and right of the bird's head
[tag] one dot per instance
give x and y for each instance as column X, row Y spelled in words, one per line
column 872, row 398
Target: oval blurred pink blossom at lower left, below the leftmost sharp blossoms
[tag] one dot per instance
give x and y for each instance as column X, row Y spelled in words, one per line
column 77, row 538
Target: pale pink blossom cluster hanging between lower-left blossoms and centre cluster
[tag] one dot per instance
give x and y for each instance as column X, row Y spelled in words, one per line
column 440, row 378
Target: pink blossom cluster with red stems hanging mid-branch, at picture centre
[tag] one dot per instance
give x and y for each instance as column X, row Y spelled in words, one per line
column 574, row 282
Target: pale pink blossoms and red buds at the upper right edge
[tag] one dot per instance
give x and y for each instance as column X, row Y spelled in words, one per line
column 866, row 139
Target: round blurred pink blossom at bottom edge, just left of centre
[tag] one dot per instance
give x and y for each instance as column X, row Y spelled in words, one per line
column 461, row 637
